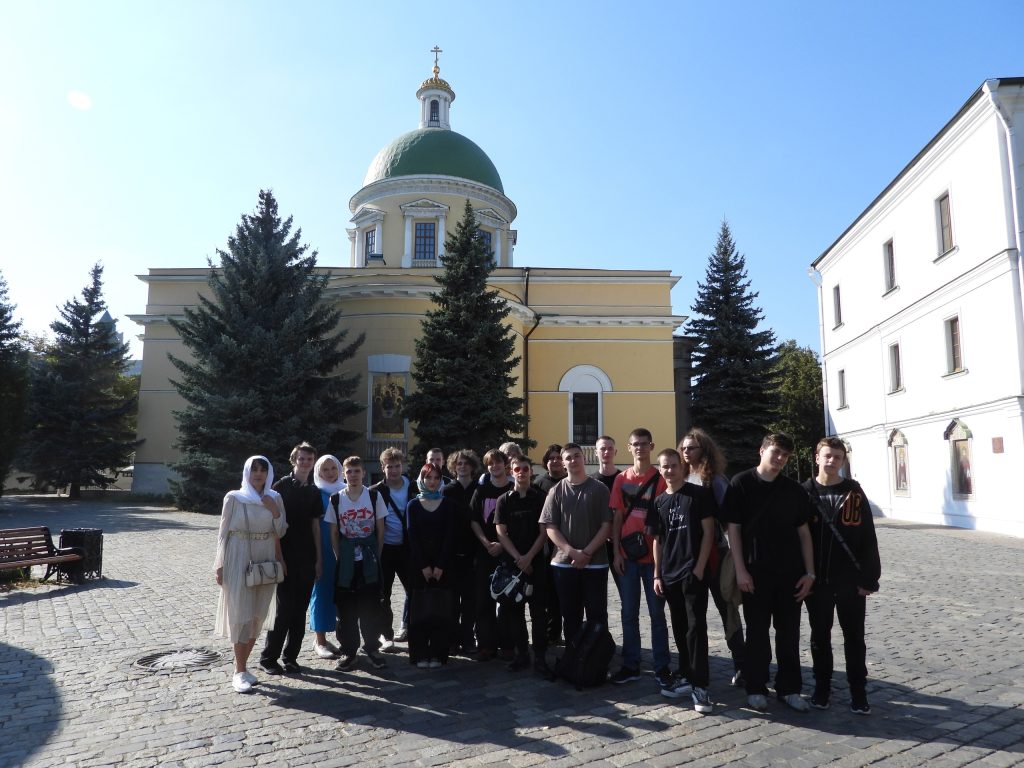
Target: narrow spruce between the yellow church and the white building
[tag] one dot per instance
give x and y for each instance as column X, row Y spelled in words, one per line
column 733, row 362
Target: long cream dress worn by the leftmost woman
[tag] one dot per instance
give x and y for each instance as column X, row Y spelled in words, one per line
column 244, row 612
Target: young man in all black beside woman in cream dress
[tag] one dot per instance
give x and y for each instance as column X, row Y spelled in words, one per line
column 302, row 550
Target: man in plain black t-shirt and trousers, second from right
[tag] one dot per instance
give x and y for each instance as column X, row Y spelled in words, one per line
column 775, row 561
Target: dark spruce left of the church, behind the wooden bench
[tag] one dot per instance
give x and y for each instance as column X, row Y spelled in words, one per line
column 79, row 420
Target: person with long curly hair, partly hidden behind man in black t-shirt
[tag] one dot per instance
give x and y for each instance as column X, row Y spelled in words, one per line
column 706, row 466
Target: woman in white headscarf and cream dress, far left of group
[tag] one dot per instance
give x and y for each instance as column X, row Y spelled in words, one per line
column 252, row 523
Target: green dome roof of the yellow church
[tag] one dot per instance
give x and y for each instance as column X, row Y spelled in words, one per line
column 435, row 152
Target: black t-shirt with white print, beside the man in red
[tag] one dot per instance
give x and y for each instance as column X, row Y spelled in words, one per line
column 677, row 527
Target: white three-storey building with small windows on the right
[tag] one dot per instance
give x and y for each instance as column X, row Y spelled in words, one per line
column 922, row 326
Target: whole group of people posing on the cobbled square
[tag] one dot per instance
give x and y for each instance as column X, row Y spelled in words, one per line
column 675, row 529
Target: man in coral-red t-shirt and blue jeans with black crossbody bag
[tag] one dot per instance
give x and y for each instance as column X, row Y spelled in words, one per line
column 632, row 501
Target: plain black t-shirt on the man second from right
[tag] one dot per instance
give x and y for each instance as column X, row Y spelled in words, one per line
column 770, row 514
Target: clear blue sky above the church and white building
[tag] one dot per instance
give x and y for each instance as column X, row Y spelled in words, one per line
column 137, row 134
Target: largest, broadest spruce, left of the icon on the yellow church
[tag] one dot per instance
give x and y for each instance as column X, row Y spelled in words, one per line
column 266, row 354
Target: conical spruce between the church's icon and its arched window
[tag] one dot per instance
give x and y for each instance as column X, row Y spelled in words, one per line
column 464, row 357
